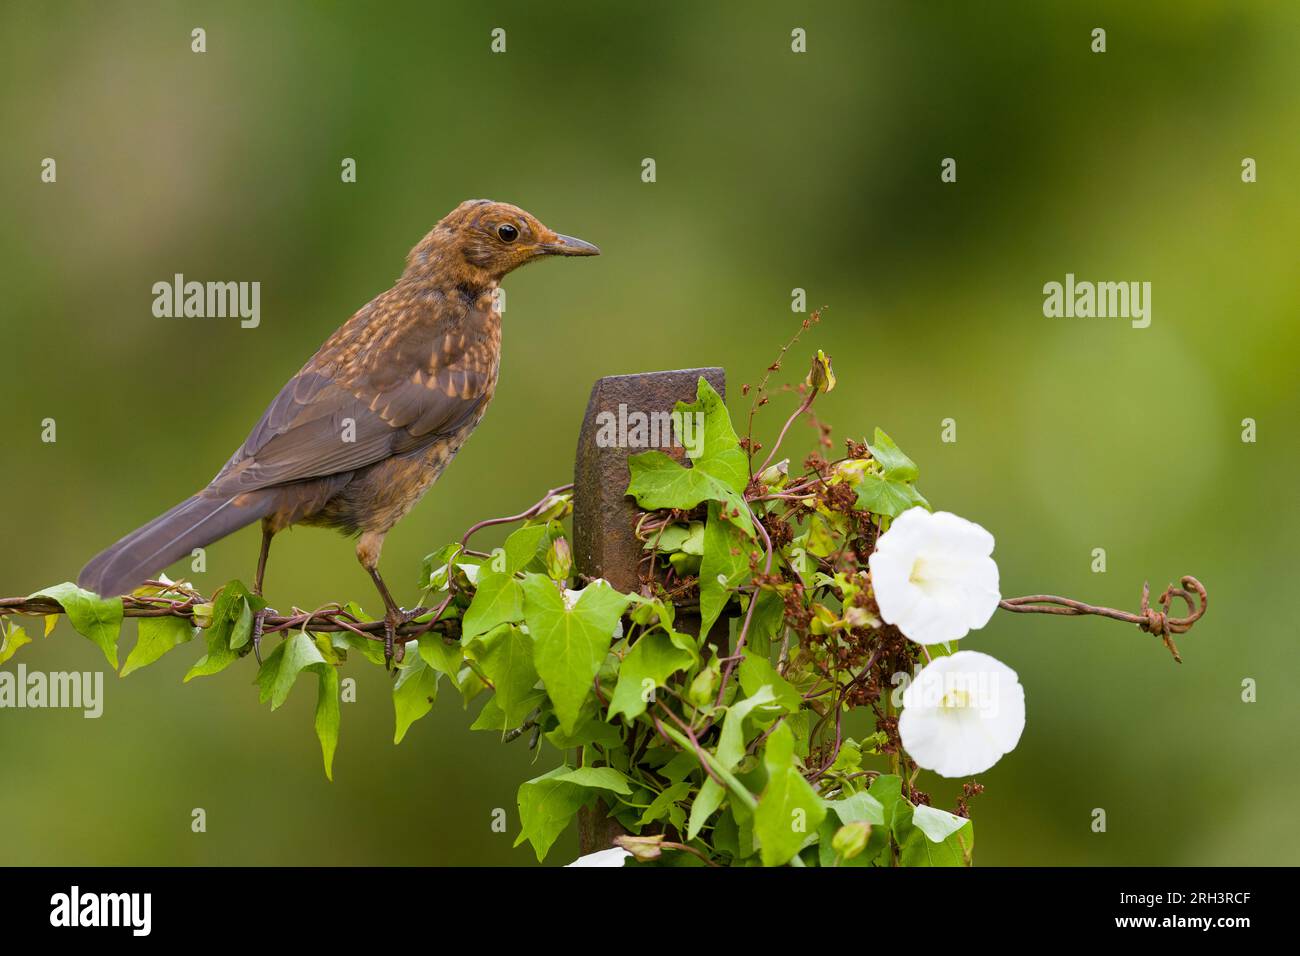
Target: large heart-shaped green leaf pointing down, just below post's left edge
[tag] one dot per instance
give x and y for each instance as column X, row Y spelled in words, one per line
column 570, row 644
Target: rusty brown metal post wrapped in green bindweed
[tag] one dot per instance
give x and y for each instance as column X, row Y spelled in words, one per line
column 605, row 542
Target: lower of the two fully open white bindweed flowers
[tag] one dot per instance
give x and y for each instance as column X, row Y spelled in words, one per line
column 963, row 713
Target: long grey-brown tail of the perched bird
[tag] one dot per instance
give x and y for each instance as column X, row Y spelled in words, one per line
column 194, row 524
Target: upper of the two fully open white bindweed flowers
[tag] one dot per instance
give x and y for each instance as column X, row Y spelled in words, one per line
column 934, row 576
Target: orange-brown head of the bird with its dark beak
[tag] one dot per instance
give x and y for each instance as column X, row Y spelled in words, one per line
column 489, row 240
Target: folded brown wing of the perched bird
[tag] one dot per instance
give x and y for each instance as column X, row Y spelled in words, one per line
column 306, row 432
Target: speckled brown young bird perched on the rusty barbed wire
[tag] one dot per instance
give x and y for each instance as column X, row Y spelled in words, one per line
column 357, row 438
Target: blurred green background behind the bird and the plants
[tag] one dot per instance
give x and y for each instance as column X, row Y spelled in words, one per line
column 775, row 171
